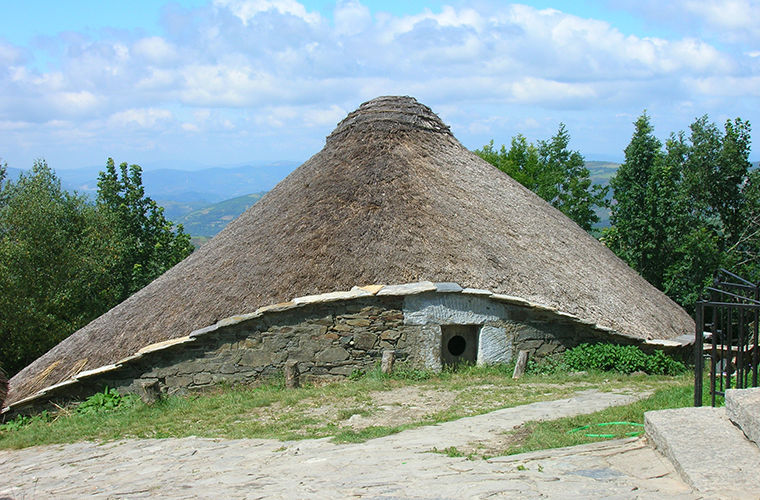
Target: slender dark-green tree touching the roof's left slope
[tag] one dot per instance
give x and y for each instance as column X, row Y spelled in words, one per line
column 148, row 245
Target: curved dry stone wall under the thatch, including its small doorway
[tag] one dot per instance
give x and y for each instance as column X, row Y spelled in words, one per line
column 330, row 336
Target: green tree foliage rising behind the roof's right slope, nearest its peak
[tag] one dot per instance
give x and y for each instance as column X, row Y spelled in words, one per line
column 552, row 171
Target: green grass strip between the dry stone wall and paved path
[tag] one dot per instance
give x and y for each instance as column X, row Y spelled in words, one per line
column 271, row 411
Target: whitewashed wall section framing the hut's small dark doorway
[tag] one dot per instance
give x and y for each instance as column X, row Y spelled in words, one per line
column 431, row 310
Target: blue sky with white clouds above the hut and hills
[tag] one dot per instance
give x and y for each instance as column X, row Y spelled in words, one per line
column 199, row 83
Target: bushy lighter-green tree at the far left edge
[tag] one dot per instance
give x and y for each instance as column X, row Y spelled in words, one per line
column 53, row 252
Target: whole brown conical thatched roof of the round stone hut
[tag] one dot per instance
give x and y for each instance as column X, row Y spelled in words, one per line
column 392, row 198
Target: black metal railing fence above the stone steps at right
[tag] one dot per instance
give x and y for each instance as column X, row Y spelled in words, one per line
column 727, row 336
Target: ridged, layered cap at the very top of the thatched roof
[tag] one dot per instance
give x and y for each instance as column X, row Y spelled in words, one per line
column 390, row 113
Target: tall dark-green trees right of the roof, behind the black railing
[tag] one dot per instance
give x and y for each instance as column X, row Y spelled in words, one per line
column 685, row 208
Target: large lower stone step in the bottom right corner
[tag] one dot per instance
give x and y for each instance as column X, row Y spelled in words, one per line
column 712, row 455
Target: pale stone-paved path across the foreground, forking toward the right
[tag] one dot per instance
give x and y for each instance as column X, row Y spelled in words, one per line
column 397, row 466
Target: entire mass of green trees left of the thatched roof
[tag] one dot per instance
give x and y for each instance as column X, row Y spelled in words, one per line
column 62, row 259
